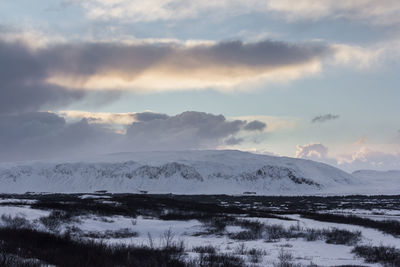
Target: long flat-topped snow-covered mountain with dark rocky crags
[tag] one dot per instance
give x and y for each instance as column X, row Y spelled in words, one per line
column 185, row 172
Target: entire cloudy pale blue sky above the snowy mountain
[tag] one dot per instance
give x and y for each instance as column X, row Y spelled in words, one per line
column 311, row 79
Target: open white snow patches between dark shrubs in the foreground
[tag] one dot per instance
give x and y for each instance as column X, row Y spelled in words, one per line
column 304, row 252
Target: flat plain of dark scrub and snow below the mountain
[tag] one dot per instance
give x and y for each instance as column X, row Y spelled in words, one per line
column 56, row 237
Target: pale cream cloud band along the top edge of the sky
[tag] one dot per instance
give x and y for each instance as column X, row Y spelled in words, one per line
column 369, row 11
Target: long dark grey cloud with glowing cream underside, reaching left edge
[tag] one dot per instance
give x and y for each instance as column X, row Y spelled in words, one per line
column 63, row 71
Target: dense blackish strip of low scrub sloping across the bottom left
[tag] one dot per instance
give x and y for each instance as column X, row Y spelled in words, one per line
column 64, row 251
